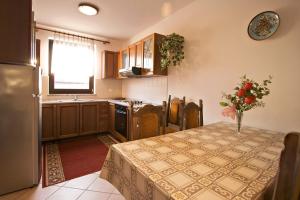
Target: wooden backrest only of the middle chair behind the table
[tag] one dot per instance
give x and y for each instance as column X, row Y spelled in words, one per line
column 173, row 110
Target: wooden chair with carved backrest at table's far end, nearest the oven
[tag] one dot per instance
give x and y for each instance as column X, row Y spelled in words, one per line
column 148, row 121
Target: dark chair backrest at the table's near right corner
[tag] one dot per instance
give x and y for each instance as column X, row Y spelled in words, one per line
column 287, row 186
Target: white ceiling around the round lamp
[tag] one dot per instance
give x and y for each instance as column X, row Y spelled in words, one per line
column 118, row 19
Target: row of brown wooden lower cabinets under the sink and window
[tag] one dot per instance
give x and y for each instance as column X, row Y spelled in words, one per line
column 73, row 119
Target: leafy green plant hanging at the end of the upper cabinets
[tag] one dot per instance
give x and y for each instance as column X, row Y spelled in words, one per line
column 171, row 50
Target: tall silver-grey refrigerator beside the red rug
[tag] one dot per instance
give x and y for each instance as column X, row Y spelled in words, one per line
column 20, row 127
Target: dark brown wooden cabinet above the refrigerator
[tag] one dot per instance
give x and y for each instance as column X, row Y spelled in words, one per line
column 17, row 36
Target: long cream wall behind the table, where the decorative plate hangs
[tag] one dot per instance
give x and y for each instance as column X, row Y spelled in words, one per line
column 218, row 51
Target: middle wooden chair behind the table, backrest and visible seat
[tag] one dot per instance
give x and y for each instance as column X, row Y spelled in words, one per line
column 174, row 114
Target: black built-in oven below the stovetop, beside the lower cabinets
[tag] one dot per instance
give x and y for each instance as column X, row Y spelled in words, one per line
column 121, row 120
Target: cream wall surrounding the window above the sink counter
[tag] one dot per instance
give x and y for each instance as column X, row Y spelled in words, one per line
column 104, row 88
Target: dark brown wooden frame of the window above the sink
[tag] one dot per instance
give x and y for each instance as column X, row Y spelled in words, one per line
column 52, row 90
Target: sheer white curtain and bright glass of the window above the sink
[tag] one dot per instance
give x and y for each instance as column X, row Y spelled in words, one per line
column 73, row 61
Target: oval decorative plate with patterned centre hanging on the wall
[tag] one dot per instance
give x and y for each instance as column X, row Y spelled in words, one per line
column 263, row 25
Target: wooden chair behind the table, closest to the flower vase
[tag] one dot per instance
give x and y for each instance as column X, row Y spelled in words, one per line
column 192, row 115
